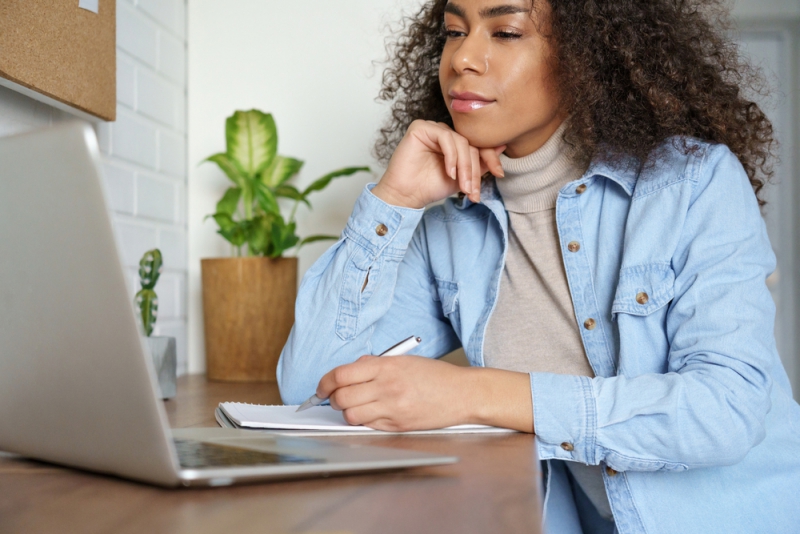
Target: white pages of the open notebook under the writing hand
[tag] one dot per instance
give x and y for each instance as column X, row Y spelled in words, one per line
column 314, row 418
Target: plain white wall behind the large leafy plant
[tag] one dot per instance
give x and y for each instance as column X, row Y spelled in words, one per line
column 310, row 63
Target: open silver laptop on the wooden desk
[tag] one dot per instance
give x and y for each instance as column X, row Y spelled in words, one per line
column 76, row 387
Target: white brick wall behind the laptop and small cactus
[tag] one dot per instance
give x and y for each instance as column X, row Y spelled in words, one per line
column 144, row 151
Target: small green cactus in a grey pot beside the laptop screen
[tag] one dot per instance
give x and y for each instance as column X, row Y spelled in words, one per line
column 161, row 348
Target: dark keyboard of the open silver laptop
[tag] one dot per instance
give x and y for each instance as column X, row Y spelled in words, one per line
column 198, row 454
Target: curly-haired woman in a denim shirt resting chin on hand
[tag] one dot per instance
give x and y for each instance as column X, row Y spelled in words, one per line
column 606, row 278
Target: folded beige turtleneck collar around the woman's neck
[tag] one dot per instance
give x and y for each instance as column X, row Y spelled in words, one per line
column 532, row 182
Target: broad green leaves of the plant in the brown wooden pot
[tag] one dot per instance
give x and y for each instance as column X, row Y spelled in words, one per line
column 249, row 213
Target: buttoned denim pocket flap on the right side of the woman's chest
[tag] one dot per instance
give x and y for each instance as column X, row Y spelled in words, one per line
column 643, row 289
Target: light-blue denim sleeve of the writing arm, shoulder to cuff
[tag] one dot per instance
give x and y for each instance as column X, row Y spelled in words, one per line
column 709, row 406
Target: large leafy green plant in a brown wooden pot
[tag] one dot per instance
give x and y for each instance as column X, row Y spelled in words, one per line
column 248, row 300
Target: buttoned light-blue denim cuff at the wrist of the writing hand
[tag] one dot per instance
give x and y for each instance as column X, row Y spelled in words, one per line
column 564, row 417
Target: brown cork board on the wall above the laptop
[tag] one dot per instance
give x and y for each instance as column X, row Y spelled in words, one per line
column 62, row 51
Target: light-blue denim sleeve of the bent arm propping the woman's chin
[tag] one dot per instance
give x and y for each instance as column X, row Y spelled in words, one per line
column 356, row 286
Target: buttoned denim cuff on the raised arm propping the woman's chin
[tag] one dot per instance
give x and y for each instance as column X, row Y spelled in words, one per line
column 376, row 225
